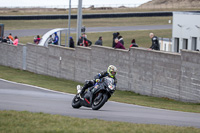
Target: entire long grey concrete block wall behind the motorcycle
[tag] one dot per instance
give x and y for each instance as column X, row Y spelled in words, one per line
column 153, row 73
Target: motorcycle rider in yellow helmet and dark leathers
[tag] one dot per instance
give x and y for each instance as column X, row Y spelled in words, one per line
column 111, row 72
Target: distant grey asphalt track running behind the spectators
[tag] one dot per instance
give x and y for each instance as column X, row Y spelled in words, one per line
column 34, row 32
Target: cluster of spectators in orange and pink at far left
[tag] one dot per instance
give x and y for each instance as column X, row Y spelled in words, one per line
column 10, row 40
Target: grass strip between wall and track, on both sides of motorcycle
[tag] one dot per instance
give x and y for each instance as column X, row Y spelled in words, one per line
column 70, row 87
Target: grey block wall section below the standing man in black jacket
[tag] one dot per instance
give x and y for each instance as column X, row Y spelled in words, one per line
column 155, row 73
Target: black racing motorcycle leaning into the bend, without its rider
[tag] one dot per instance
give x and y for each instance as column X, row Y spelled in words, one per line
column 96, row 96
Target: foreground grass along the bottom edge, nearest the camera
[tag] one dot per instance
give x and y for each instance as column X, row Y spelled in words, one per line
column 26, row 122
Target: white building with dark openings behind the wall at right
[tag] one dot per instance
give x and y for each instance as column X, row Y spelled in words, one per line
column 186, row 31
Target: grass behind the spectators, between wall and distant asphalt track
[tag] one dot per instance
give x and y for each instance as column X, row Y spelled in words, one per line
column 141, row 37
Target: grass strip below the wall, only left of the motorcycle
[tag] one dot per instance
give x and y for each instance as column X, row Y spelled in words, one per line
column 38, row 80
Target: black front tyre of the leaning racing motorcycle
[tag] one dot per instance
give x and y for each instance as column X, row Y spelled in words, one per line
column 97, row 104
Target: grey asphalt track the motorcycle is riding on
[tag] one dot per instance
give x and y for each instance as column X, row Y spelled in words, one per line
column 20, row 97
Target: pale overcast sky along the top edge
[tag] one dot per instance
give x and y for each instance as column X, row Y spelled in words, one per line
column 65, row 3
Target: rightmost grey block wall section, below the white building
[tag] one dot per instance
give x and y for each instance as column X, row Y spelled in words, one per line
column 190, row 76
